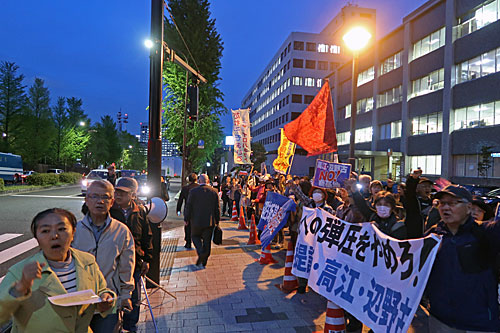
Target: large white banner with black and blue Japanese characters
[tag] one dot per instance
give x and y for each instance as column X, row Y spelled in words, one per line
column 378, row 279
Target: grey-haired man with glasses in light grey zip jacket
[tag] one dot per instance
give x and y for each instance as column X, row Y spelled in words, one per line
column 112, row 244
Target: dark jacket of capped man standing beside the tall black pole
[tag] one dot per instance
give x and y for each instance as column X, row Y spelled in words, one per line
column 138, row 224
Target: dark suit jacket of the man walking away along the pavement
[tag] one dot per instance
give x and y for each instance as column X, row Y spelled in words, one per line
column 202, row 207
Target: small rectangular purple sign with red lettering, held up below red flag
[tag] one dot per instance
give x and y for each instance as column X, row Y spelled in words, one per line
column 331, row 174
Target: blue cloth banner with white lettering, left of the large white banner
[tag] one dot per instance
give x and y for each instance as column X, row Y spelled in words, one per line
column 274, row 216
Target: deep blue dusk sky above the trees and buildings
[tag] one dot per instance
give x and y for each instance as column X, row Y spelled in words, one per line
column 94, row 50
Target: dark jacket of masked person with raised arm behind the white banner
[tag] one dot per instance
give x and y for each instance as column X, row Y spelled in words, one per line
column 390, row 226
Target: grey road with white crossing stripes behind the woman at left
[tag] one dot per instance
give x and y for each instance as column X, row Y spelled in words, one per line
column 18, row 209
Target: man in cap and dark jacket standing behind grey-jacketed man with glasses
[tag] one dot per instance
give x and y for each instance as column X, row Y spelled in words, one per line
column 126, row 210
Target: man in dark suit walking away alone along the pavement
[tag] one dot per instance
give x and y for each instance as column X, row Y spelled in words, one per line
column 202, row 212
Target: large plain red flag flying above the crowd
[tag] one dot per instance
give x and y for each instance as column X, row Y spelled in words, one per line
column 314, row 129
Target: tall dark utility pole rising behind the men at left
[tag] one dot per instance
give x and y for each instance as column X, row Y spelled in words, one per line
column 154, row 140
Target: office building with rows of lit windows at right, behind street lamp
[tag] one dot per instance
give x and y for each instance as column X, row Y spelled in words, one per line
column 428, row 96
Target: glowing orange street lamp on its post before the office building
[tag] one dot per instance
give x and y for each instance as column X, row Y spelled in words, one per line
column 355, row 39
